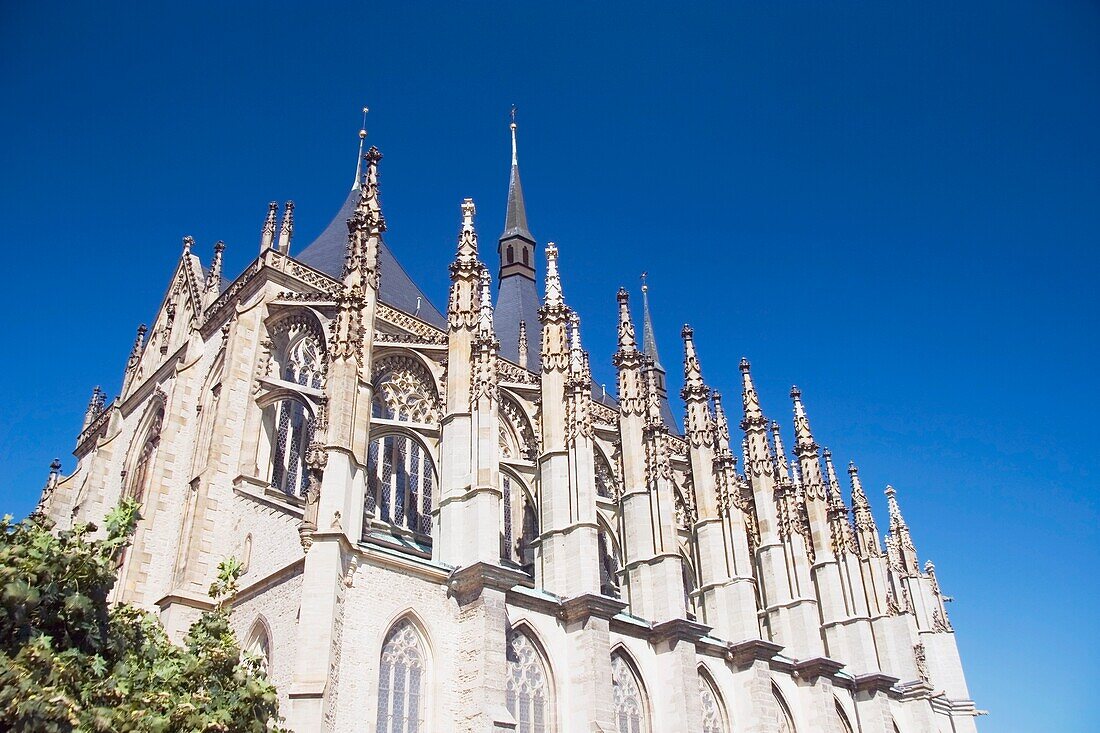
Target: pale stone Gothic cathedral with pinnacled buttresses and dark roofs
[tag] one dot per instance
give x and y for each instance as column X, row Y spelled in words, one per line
column 446, row 529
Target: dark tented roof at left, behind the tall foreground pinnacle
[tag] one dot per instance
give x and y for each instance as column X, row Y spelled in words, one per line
column 398, row 290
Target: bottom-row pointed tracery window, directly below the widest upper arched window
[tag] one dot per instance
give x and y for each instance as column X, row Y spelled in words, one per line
column 402, row 684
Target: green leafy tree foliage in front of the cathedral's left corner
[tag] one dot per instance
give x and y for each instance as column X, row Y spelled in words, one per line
column 71, row 662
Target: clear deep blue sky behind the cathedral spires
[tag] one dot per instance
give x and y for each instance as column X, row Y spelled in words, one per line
column 896, row 206
